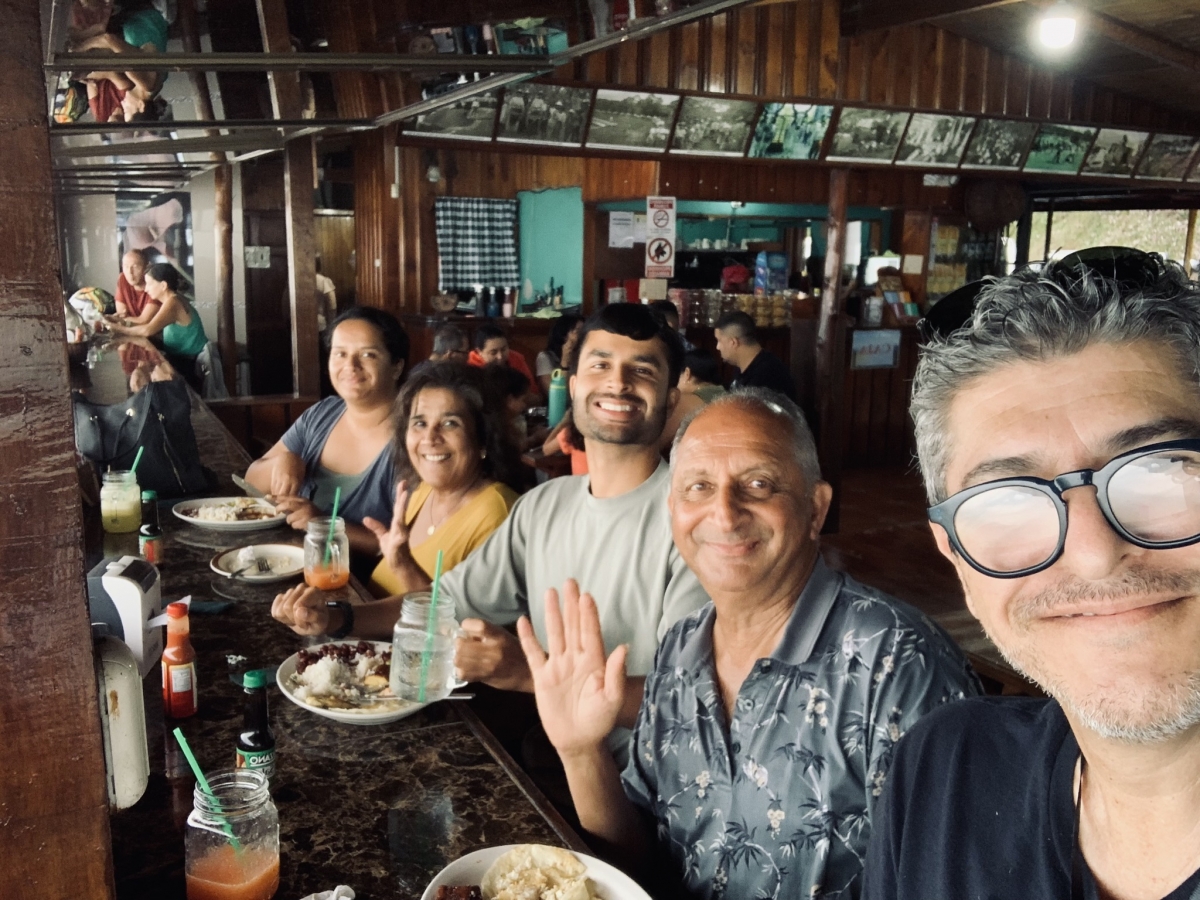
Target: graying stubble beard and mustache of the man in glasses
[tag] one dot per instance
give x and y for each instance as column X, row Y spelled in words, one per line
column 1139, row 712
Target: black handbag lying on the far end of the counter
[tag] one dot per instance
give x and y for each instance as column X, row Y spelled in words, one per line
column 159, row 419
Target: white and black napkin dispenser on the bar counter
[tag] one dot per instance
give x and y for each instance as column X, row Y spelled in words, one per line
column 125, row 595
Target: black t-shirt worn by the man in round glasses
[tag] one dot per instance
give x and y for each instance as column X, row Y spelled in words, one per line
column 980, row 806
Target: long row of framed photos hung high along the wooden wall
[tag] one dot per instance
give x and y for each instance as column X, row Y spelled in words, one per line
column 604, row 119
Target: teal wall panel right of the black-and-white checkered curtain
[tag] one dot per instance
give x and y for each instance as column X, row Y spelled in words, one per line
column 551, row 233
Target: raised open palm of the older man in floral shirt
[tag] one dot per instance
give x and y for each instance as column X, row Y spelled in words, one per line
column 580, row 693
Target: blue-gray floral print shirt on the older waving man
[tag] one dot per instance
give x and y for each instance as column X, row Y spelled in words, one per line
column 776, row 801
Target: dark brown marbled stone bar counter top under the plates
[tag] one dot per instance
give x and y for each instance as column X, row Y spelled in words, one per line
column 380, row 808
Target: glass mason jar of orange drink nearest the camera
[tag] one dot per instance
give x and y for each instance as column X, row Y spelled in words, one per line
column 232, row 843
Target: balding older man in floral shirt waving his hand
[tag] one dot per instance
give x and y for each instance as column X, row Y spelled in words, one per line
column 771, row 717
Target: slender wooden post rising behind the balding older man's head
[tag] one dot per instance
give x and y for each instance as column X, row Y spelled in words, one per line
column 831, row 355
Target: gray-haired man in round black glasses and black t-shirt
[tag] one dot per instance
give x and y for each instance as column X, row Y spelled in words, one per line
column 1059, row 435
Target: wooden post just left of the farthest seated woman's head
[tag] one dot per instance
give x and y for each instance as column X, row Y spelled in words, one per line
column 302, row 267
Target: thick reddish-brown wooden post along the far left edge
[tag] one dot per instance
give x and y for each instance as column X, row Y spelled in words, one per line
column 55, row 837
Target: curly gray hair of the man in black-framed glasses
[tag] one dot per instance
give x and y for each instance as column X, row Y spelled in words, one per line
column 1028, row 316
